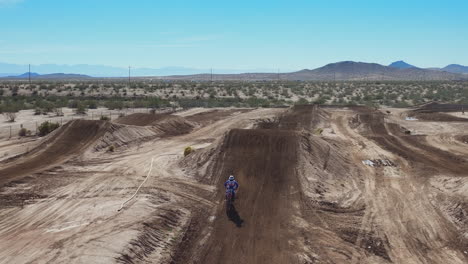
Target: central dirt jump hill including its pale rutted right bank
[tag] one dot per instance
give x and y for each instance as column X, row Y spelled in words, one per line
column 298, row 195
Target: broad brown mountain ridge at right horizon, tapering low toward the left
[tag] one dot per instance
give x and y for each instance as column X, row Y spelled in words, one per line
column 345, row 70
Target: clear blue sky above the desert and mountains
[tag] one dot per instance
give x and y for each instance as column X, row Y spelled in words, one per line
column 240, row 34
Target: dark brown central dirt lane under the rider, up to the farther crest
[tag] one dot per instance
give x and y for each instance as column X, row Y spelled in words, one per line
column 265, row 223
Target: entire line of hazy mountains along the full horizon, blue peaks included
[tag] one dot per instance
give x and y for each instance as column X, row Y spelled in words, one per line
column 345, row 70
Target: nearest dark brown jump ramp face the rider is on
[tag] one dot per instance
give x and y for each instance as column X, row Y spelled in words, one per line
column 265, row 160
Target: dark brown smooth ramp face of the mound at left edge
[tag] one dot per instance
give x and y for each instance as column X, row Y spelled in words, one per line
column 69, row 140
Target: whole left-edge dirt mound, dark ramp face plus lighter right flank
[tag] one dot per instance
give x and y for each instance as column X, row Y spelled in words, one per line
column 75, row 138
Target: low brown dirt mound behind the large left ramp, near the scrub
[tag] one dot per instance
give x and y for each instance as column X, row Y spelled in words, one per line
column 164, row 124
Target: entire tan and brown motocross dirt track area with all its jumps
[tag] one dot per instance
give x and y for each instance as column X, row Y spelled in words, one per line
column 305, row 195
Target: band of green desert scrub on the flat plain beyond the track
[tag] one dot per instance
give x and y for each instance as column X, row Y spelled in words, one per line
column 48, row 96
